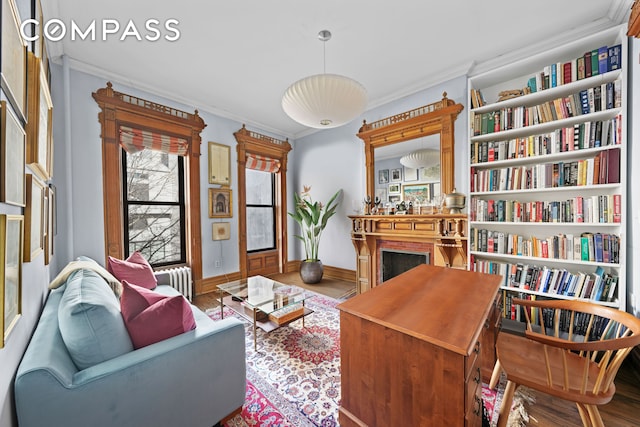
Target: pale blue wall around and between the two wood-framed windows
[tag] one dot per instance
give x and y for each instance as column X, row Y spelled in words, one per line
column 80, row 188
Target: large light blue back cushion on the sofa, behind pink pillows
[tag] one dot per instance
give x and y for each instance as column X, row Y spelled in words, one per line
column 90, row 321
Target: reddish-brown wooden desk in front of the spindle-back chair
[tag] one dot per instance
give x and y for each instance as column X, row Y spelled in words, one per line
column 411, row 352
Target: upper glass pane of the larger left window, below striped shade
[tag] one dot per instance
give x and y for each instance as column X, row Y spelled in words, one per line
column 152, row 176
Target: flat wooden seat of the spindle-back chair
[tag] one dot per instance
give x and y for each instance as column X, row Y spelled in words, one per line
column 523, row 360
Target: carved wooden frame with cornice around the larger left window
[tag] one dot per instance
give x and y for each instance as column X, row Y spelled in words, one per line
column 119, row 108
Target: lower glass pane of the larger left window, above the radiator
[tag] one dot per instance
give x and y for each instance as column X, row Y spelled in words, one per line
column 155, row 232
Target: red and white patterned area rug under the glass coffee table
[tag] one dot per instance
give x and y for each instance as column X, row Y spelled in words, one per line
column 294, row 377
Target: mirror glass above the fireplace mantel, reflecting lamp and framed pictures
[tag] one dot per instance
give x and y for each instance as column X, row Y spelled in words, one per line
column 408, row 171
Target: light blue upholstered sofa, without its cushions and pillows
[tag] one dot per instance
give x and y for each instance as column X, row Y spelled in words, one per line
column 193, row 379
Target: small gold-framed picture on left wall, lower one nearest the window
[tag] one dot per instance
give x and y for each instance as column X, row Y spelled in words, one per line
column 33, row 218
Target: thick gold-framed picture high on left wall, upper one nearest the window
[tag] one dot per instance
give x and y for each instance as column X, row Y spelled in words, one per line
column 39, row 125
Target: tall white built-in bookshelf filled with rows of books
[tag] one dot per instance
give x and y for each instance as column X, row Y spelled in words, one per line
column 547, row 191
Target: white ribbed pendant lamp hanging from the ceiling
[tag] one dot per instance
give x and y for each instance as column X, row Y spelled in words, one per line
column 324, row 101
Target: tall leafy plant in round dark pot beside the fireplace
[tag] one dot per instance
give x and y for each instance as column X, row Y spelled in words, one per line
column 312, row 218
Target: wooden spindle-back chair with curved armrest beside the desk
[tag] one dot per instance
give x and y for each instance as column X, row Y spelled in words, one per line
column 571, row 350
